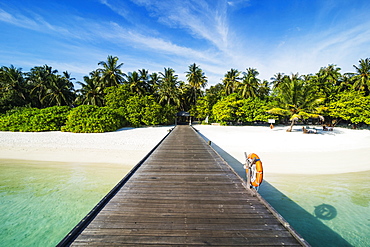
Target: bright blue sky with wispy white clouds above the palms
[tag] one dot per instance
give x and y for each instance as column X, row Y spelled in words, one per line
column 286, row 36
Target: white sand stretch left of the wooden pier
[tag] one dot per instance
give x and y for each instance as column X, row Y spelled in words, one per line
column 126, row 146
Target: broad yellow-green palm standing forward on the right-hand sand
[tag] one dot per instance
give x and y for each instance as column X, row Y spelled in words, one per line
column 297, row 99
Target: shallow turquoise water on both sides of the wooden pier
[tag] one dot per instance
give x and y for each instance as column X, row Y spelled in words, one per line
column 40, row 202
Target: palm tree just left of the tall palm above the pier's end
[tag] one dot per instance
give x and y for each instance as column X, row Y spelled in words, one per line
column 168, row 91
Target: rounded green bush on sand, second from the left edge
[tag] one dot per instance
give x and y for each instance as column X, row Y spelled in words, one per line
column 93, row 119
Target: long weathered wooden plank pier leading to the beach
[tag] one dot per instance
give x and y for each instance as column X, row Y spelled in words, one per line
column 183, row 194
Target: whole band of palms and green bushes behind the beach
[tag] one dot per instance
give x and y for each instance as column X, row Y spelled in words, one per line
column 108, row 98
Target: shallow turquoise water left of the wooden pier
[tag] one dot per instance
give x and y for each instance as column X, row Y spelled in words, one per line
column 40, row 202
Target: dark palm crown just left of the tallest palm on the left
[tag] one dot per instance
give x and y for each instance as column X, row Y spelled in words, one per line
column 92, row 91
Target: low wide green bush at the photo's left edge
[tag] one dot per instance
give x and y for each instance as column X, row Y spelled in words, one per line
column 34, row 120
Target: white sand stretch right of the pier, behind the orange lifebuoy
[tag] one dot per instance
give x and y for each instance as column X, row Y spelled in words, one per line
column 327, row 152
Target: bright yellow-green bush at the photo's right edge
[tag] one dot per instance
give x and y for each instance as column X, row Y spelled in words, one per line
column 351, row 106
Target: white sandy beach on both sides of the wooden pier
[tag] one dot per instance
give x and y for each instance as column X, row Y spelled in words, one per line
column 338, row 151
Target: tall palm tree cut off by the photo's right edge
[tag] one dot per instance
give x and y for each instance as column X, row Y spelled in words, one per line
column 362, row 76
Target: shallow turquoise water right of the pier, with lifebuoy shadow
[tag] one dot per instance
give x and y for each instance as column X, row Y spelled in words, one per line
column 327, row 210
